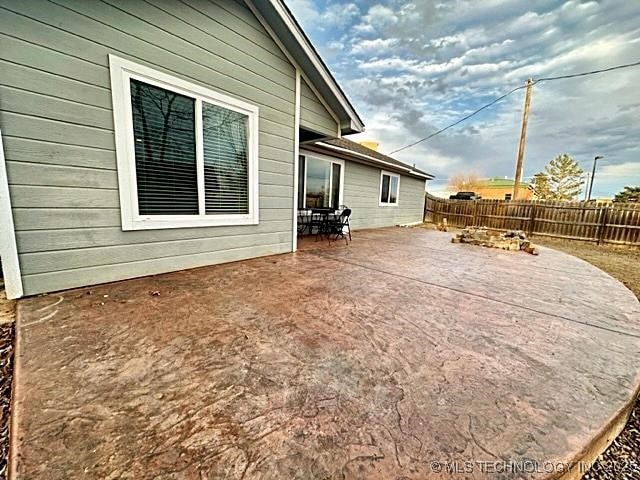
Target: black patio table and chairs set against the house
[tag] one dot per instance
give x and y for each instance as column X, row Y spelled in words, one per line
column 328, row 223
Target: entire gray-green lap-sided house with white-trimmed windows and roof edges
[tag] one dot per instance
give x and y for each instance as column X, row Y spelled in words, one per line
column 141, row 139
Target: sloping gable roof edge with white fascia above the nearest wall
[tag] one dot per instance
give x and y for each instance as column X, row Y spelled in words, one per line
column 286, row 31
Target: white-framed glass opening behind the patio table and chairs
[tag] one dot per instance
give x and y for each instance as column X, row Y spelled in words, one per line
column 320, row 181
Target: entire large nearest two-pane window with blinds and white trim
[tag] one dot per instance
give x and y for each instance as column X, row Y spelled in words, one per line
column 187, row 155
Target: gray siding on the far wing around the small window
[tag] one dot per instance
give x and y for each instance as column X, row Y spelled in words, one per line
column 362, row 195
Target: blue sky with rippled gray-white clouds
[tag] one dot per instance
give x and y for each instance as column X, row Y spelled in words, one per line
column 411, row 68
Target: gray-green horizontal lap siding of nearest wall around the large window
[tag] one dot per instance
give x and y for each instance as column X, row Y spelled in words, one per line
column 57, row 127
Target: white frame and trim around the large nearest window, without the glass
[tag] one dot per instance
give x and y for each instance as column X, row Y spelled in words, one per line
column 122, row 71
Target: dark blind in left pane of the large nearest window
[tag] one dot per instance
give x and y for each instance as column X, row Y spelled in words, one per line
column 165, row 152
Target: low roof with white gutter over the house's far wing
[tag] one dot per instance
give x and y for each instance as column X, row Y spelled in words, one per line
column 345, row 148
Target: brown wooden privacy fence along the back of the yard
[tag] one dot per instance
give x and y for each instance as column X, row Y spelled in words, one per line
column 597, row 222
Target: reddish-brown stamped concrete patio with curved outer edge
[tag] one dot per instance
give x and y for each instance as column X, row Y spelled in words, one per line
column 381, row 360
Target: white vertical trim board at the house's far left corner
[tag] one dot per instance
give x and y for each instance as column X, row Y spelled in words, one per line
column 8, row 248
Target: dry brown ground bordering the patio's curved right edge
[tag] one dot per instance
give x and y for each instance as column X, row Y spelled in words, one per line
column 622, row 459
